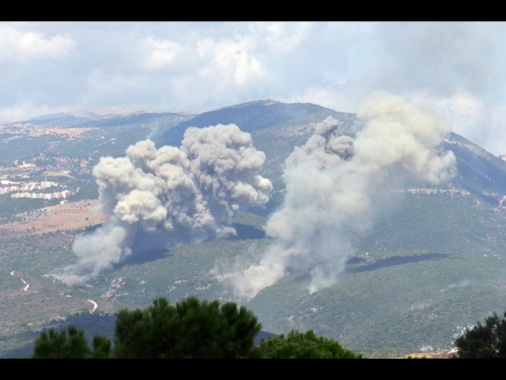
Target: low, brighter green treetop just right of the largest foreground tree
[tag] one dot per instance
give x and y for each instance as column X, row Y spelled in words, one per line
column 298, row 345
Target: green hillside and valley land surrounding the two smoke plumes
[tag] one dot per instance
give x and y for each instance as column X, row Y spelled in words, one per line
column 429, row 264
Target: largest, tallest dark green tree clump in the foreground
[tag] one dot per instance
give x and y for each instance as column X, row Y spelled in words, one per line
column 190, row 329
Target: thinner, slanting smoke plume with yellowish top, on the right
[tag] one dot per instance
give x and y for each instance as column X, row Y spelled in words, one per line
column 333, row 184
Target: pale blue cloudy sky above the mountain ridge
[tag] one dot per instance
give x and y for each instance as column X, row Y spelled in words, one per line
column 456, row 68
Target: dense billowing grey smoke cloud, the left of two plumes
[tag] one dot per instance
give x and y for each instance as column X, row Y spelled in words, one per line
column 168, row 196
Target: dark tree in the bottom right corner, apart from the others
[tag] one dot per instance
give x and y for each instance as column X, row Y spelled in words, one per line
column 486, row 341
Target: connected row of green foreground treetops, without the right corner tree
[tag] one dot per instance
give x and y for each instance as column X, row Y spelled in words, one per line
column 191, row 329
